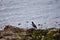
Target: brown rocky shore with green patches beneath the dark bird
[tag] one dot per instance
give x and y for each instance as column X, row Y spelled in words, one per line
column 15, row 33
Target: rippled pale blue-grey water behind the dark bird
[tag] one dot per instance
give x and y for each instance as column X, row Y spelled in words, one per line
column 45, row 12
